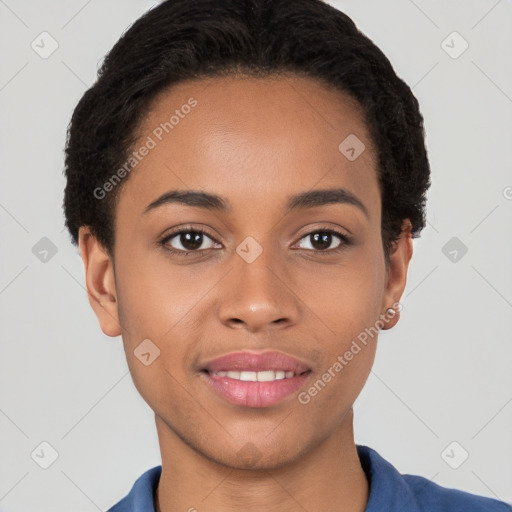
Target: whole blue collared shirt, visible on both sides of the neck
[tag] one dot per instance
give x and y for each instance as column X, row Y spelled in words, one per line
column 390, row 491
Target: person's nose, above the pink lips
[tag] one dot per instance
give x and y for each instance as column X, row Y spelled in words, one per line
column 258, row 296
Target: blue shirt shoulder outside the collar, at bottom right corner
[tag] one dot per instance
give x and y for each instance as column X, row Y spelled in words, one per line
column 433, row 498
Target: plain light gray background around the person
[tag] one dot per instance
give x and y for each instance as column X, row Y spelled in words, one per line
column 442, row 375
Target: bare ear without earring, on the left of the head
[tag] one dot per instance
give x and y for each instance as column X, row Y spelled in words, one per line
column 100, row 282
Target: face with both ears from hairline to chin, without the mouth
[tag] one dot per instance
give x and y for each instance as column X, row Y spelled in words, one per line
column 252, row 268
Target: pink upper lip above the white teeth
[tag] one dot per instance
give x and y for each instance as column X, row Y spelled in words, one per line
column 255, row 361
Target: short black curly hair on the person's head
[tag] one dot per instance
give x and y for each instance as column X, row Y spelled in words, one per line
column 189, row 39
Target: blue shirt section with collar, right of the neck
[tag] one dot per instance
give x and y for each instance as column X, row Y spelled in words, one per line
column 391, row 491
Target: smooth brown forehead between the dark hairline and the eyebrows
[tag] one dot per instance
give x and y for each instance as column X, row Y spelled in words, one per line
column 253, row 139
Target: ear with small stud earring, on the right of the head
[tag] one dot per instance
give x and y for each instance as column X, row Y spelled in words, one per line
column 396, row 277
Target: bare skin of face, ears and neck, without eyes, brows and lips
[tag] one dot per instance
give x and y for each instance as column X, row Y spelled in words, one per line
column 254, row 142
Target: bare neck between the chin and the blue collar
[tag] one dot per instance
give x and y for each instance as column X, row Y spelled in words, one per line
column 329, row 477
